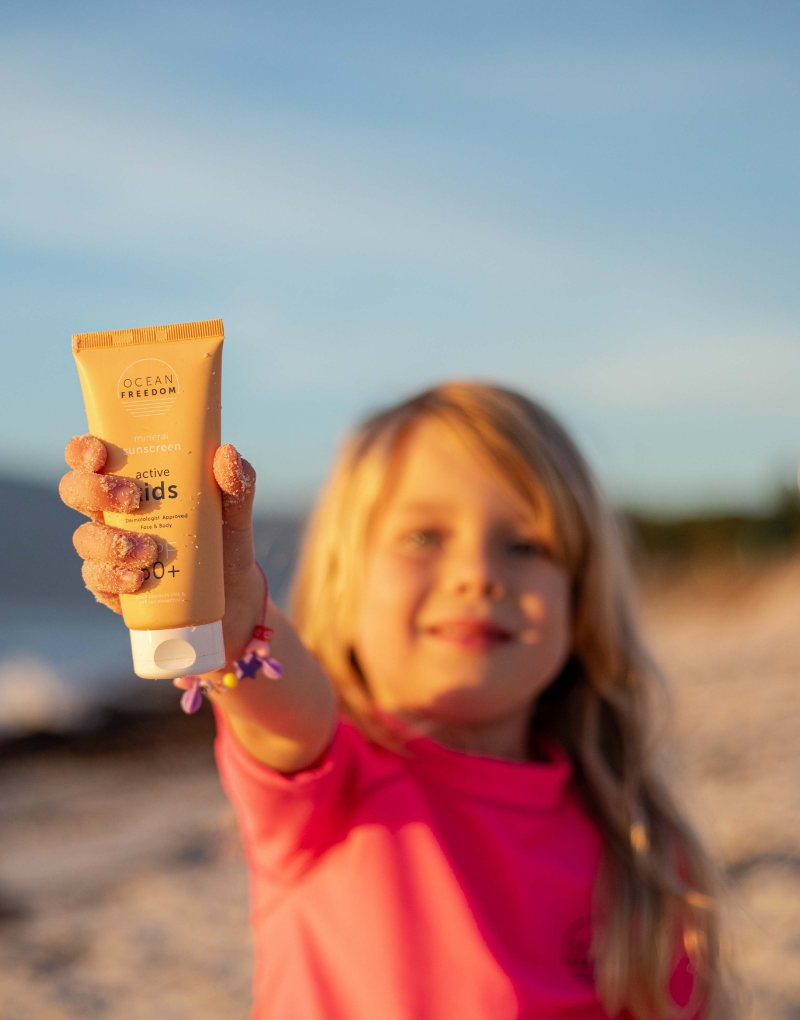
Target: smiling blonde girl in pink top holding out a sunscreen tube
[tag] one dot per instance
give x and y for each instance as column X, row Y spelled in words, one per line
column 448, row 802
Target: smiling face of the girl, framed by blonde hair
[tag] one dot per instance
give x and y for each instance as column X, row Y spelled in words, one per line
column 465, row 617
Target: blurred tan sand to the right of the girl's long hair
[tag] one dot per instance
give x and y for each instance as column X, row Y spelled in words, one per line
column 730, row 640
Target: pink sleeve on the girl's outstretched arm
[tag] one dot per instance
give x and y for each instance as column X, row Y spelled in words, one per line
column 289, row 822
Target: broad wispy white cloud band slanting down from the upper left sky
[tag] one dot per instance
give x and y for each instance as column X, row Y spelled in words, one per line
column 84, row 171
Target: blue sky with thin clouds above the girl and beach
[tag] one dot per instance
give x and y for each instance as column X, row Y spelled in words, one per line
column 597, row 203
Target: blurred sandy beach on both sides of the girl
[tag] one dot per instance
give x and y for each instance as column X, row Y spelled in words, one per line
column 123, row 891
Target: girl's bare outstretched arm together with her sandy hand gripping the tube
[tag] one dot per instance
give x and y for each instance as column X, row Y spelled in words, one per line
column 285, row 724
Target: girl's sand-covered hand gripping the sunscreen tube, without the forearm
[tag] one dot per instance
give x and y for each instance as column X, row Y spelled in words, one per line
column 115, row 559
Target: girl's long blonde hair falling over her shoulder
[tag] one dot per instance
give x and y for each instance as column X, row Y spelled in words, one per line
column 657, row 885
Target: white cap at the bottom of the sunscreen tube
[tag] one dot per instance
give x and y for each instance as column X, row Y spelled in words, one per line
column 178, row 651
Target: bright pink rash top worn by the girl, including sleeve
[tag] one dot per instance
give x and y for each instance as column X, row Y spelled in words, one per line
column 435, row 887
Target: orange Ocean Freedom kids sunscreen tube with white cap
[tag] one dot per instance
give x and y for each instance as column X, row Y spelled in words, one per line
column 154, row 397
